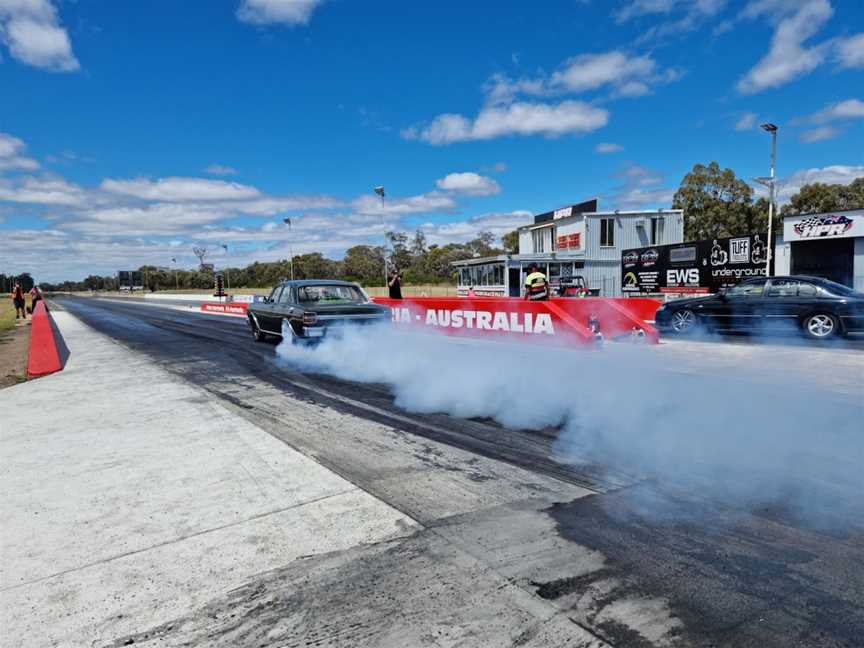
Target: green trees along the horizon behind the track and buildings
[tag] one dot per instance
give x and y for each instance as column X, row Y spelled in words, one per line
column 715, row 201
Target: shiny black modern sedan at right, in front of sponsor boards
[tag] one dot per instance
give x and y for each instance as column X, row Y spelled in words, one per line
column 818, row 307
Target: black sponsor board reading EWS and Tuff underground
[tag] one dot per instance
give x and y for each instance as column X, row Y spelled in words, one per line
column 698, row 266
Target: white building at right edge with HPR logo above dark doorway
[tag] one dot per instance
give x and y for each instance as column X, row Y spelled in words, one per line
column 829, row 245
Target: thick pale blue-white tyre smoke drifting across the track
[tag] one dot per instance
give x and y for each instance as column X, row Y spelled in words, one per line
column 729, row 434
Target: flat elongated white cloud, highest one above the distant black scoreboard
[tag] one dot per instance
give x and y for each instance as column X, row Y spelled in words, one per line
column 180, row 189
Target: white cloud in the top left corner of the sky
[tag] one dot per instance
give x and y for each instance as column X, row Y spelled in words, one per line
column 32, row 32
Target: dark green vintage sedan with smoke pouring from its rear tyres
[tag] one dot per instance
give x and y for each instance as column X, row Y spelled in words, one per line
column 309, row 309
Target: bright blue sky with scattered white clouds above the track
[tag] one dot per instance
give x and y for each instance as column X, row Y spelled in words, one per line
column 130, row 132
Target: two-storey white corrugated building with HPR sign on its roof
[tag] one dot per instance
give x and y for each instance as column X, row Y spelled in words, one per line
column 574, row 241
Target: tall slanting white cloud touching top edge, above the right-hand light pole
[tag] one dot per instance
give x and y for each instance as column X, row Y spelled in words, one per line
column 787, row 58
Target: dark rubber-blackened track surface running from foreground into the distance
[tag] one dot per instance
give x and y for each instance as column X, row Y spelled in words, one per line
column 734, row 578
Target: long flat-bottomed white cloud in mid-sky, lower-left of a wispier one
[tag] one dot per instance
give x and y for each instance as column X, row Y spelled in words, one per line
column 519, row 118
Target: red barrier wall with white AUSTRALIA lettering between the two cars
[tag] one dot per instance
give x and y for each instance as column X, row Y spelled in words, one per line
column 556, row 321
